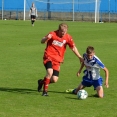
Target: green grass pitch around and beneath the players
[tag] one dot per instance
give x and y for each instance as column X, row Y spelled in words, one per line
column 21, row 66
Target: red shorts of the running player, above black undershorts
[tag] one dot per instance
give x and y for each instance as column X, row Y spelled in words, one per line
column 55, row 64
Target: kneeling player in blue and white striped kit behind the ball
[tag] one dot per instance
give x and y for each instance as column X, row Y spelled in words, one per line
column 92, row 73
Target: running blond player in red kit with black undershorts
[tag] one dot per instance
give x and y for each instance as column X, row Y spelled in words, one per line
column 54, row 55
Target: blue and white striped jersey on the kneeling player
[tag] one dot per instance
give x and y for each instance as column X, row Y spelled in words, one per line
column 92, row 67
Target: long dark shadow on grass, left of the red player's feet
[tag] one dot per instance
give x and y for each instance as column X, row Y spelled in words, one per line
column 18, row 90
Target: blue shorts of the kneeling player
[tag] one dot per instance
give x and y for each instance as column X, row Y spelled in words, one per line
column 89, row 82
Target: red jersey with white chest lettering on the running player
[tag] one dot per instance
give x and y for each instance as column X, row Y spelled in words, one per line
column 56, row 46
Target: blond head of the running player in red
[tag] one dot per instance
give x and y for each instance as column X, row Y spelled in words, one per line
column 62, row 29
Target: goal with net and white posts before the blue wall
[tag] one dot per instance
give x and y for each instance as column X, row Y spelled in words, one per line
column 71, row 10
